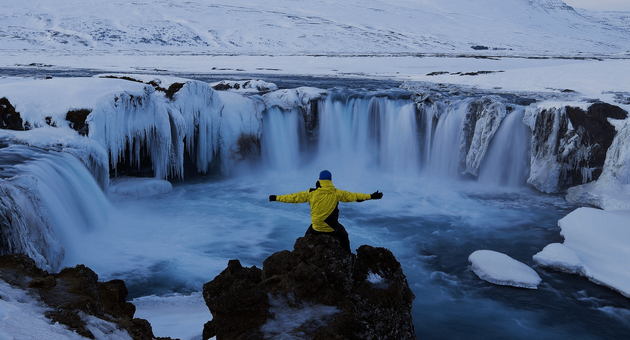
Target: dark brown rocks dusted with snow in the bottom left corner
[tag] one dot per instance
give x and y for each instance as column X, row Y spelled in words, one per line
column 74, row 292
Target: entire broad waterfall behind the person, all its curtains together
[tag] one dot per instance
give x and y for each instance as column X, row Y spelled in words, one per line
column 445, row 139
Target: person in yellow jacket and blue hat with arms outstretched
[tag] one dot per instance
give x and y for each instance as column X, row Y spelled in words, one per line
column 324, row 201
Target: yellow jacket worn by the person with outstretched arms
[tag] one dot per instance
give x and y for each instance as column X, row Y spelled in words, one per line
column 323, row 202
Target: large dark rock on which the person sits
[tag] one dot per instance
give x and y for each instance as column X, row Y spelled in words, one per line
column 338, row 295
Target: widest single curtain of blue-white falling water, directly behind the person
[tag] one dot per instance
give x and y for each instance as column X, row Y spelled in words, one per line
column 369, row 132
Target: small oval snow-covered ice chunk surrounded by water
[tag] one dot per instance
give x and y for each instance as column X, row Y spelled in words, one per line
column 501, row 269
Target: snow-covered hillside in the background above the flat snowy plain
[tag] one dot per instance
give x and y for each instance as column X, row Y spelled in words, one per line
column 285, row 27
